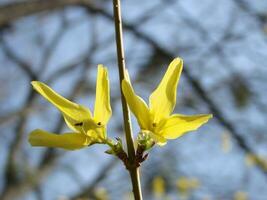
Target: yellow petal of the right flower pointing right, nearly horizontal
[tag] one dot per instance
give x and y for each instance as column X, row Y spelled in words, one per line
column 177, row 125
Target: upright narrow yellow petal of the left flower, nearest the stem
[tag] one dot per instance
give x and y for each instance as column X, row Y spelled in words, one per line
column 102, row 110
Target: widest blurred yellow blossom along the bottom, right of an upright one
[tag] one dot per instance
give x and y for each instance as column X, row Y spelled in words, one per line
column 185, row 185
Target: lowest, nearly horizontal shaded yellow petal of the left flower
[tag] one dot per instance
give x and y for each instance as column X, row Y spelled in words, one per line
column 68, row 141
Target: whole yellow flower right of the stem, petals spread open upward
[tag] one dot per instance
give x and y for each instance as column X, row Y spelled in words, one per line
column 156, row 120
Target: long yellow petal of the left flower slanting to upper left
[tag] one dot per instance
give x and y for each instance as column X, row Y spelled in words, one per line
column 73, row 113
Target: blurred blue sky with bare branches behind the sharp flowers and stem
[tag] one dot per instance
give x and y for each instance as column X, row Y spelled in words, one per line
column 224, row 47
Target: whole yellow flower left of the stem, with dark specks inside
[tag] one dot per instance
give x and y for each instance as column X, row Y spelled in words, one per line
column 86, row 129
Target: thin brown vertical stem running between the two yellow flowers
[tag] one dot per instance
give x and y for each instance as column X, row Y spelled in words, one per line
column 134, row 171
